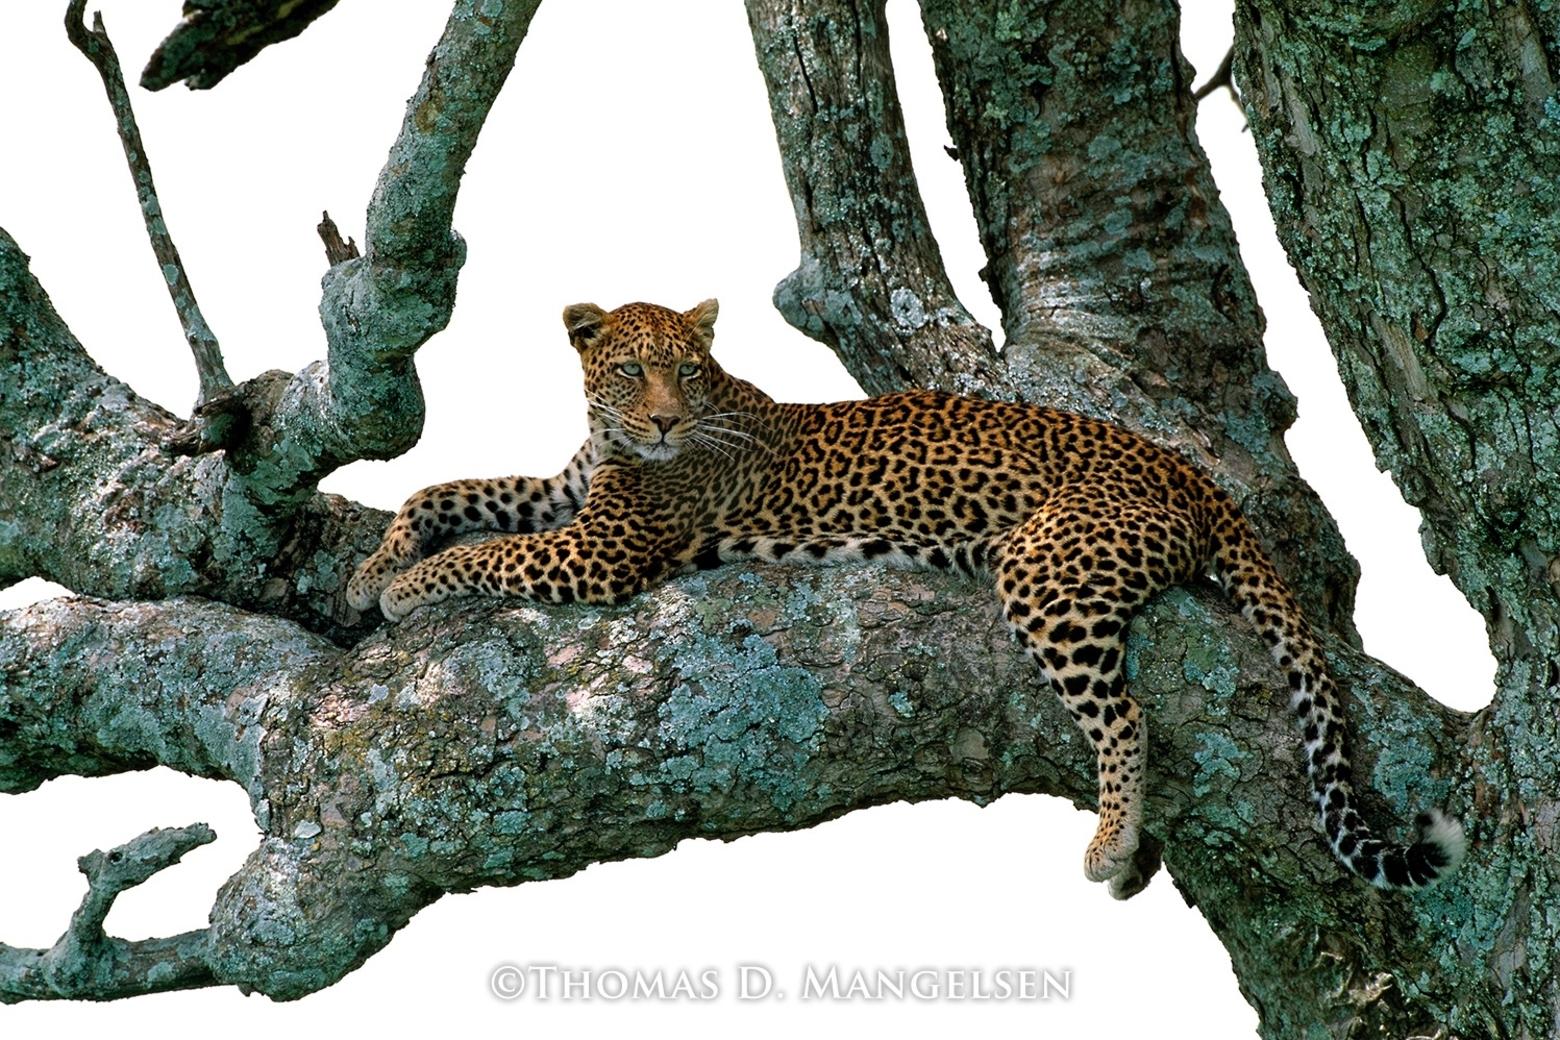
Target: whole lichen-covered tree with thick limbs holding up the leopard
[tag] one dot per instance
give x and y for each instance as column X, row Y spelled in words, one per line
column 1122, row 295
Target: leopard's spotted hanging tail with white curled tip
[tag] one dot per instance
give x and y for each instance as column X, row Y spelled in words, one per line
column 1261, row 595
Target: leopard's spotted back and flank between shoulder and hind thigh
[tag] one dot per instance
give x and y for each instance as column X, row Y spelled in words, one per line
column 927, row 479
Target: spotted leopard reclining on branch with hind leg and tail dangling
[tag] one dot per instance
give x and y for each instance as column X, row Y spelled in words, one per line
column 1076, row 522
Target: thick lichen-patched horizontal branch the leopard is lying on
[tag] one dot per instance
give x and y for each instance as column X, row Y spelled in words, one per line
column 505, row 743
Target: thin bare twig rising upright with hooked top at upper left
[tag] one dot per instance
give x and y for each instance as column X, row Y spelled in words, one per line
column 101, row 52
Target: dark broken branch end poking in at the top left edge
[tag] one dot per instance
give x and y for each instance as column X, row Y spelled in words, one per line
column 218, row 37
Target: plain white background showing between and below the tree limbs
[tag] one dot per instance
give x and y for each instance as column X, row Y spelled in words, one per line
column 629, row 158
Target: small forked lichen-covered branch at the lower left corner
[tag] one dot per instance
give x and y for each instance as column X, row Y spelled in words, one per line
column 88, row 964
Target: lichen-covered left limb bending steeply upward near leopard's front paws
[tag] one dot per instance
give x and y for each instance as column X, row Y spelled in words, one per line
column 249, row 520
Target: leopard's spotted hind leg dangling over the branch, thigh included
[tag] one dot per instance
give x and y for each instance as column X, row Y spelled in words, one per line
column 1071, row 579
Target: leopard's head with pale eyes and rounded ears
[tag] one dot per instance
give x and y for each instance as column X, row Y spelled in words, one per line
column 648, row 375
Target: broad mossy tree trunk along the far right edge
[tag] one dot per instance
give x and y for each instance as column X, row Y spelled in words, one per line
column 1414, row 171
